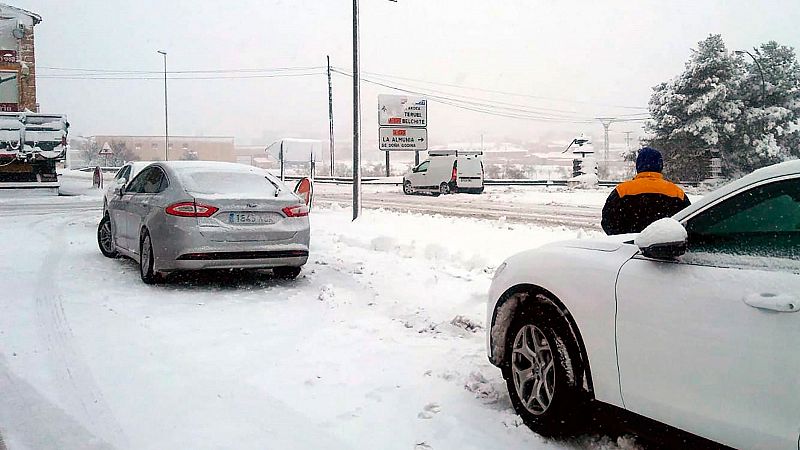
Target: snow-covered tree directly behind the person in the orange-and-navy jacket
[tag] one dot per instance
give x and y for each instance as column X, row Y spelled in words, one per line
column 698, row 111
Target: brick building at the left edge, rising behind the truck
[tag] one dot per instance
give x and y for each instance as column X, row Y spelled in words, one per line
column 17, row 59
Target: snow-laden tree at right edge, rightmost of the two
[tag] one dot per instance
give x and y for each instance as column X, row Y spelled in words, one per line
column 769, row 130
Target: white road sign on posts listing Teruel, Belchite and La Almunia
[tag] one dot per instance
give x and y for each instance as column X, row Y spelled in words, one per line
column 402, row 125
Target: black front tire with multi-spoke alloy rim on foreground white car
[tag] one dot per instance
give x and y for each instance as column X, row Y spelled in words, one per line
column 542, row 373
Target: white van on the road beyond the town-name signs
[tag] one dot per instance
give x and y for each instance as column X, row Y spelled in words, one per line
column 446, row 171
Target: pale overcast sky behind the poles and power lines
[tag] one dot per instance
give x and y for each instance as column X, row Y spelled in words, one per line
column 591, row 56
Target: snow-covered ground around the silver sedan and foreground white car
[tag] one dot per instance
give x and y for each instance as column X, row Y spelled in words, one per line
column 378, row 344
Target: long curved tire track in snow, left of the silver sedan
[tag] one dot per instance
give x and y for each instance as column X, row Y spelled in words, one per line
column 70, row 373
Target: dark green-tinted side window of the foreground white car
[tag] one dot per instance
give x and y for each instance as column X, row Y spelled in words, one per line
column 762, row 221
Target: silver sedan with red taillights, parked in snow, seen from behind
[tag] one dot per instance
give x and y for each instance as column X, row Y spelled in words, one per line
column 191, row 215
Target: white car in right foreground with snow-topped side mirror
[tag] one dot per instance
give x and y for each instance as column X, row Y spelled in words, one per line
column 692, row 323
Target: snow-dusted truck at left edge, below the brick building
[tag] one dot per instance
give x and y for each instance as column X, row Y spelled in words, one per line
column 30, row 146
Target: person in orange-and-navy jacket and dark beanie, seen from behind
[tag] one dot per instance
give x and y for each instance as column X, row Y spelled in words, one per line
column 635, row 204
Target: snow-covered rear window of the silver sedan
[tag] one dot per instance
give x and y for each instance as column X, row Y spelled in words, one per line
column 224, row 182
